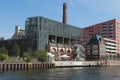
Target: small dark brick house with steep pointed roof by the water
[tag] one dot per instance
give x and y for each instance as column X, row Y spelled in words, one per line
column 95, row 48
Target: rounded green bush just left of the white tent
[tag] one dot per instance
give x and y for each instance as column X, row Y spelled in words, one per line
column 42, row 56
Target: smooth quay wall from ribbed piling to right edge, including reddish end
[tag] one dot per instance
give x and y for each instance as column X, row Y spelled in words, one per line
column 87, row 63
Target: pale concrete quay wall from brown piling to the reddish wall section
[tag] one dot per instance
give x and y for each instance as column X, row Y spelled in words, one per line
column 79, row 63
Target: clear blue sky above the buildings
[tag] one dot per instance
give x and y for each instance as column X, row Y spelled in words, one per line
column 80, row 13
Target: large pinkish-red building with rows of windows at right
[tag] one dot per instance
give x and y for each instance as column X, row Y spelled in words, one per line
column 108, row 29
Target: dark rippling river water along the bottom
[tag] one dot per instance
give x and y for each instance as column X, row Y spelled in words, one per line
column 76, row 73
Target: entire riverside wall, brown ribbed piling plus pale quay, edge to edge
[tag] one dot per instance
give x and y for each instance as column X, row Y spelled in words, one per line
column 56, row 64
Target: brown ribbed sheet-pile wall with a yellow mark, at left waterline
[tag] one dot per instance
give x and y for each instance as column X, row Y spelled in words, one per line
column 25, row 66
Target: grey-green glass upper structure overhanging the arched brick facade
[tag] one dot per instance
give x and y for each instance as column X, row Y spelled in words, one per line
column 43, row 30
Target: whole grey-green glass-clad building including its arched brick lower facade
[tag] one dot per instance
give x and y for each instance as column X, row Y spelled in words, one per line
column 52, row 35
